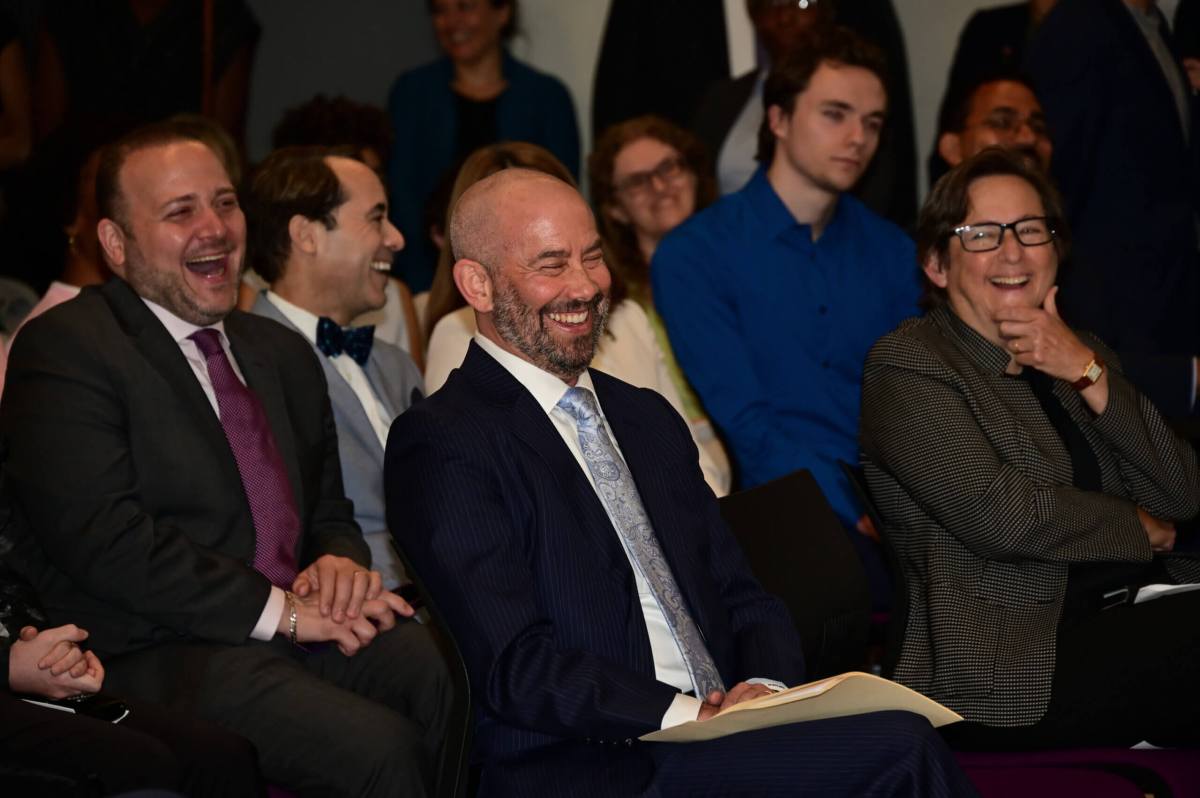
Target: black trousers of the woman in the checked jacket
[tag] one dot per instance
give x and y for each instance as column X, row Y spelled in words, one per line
column 1123, row 676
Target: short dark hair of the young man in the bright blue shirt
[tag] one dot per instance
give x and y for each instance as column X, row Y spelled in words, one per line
column 790, row 77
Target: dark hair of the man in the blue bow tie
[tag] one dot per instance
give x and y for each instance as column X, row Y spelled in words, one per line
column 295, row 181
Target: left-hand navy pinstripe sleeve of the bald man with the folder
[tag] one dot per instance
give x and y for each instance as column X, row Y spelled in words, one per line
column 471, row 547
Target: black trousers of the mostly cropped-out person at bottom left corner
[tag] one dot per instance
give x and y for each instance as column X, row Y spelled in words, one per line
column 50, row 754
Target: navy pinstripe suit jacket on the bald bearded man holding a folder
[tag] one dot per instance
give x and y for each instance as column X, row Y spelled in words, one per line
column 506, row 531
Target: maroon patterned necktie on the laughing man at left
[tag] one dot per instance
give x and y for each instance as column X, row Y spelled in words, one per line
column 263, row 476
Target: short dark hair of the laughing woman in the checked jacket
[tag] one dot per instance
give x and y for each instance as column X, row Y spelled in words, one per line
column 949, row 205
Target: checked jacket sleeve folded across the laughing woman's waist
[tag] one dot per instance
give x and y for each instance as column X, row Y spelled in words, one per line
column 920, row 424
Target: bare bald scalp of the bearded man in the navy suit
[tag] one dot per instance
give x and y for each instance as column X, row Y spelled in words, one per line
column 479, row 218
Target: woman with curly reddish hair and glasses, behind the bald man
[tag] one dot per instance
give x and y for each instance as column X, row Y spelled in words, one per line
column 649, row 176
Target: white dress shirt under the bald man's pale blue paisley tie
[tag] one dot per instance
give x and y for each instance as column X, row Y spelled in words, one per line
column 548, row 391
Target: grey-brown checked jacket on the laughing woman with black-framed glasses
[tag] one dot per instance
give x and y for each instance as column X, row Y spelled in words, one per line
column 975, row 489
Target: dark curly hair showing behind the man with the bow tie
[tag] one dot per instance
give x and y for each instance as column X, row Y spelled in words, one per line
column 335, row 122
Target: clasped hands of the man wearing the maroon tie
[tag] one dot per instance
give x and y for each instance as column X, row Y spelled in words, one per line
column 340, row 602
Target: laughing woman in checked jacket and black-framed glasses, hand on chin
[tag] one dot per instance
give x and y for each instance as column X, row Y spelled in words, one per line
column 1029, row 490
